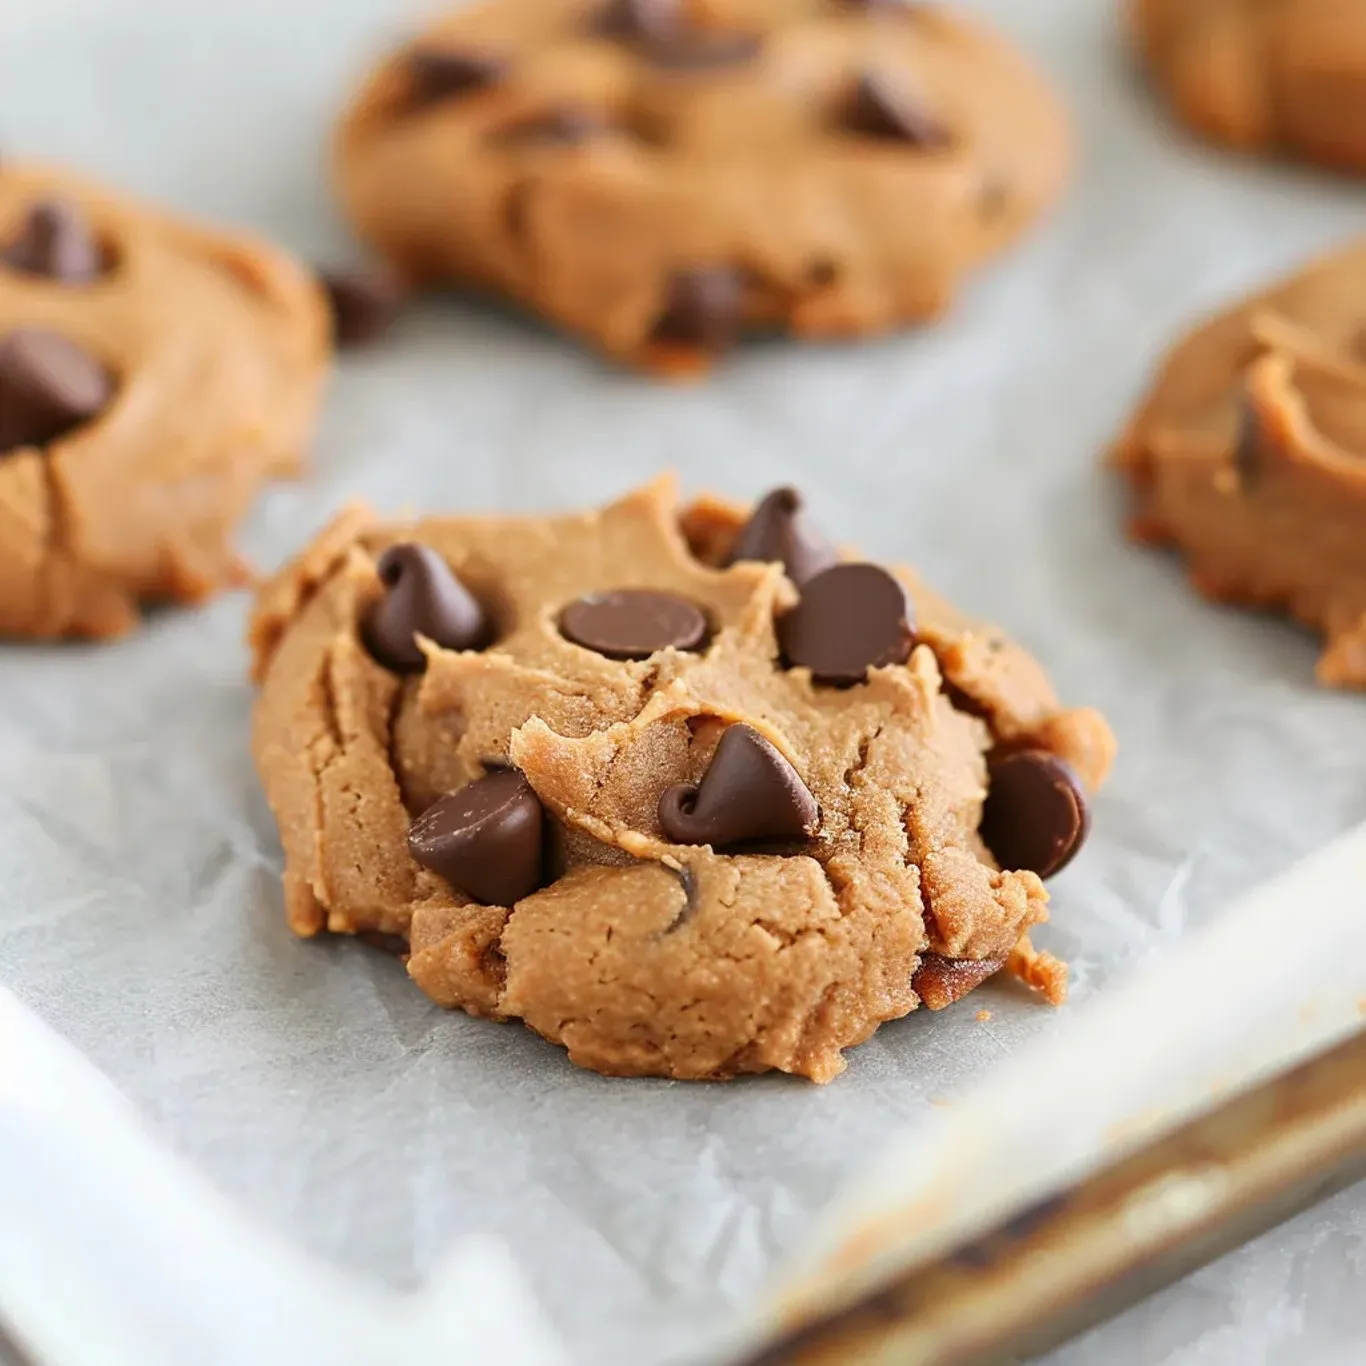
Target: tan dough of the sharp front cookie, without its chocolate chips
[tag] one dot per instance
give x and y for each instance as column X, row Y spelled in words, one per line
column 643, row 957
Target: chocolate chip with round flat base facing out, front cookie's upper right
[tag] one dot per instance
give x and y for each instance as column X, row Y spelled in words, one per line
column 853, row 618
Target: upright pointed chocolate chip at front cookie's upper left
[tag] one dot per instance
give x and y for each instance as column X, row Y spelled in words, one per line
column 424, row 598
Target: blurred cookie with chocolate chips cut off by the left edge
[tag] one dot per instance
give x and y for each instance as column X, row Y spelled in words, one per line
column 152, row 375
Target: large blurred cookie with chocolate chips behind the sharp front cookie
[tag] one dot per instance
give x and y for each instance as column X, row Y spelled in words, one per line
column 658, row 176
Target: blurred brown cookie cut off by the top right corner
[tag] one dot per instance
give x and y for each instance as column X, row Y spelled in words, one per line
column 1266, row 76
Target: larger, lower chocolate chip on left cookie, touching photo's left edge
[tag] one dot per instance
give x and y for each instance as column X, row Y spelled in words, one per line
column 48, row 387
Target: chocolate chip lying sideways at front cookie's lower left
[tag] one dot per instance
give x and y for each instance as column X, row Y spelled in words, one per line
column 484, row 839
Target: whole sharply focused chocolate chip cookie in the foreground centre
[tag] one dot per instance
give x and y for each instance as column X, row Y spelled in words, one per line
column 681, row 809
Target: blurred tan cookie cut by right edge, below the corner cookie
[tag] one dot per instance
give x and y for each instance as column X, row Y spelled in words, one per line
column 1251, row 456
